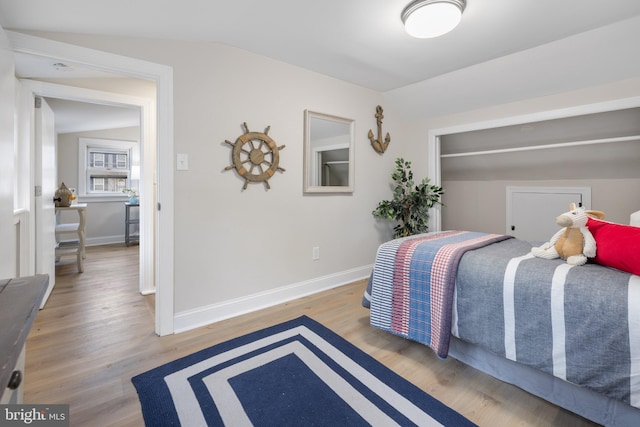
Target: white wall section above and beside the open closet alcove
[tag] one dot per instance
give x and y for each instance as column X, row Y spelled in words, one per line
column 595, row 66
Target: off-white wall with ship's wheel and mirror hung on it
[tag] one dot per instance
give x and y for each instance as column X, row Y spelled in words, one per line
column 229, row 243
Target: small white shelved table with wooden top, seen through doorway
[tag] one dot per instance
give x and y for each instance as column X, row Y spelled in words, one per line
column 75, row 231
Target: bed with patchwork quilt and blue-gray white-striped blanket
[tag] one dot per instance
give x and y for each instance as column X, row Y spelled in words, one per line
column 568, row 334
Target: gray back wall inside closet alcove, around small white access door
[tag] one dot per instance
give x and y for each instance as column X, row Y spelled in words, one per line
column 476, row 185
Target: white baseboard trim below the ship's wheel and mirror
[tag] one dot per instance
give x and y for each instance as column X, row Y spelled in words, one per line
column 191, row 319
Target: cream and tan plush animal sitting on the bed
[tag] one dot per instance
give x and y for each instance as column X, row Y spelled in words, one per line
column 573, row 243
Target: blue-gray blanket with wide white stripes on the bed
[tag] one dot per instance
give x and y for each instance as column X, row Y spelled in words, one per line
column 580, row 324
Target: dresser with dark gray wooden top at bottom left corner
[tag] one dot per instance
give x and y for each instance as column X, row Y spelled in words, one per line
column 19, row 303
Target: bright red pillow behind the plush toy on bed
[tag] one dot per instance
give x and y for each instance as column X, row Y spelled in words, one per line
column 617, row 245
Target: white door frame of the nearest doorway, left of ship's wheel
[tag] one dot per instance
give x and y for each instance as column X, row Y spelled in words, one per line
column 157, row 179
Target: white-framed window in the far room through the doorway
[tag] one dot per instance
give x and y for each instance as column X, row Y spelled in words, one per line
column 105, row 166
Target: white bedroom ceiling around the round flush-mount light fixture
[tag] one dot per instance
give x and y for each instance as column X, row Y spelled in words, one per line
column 359, row 41
